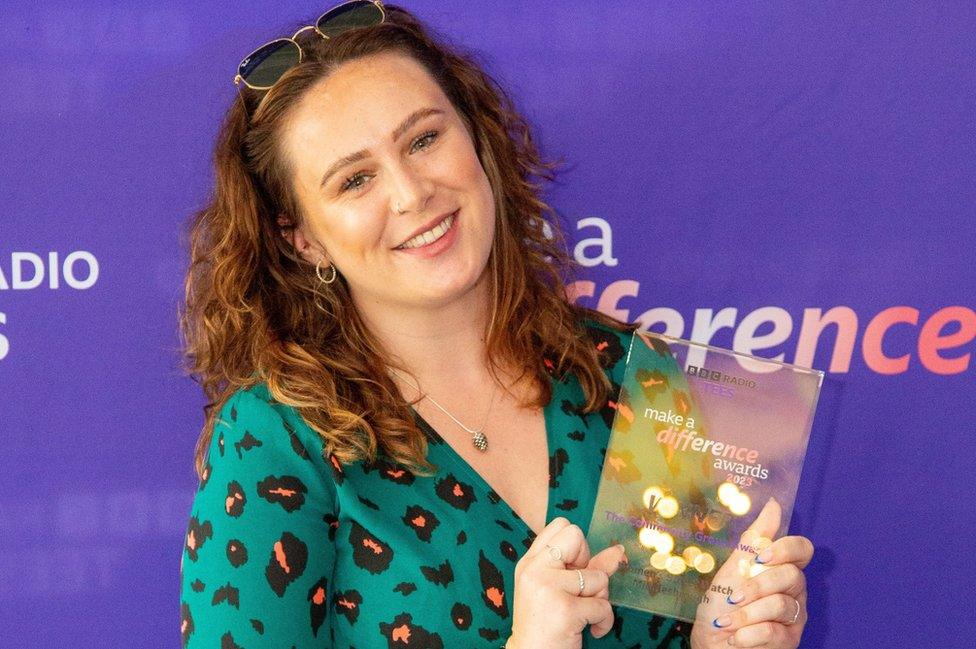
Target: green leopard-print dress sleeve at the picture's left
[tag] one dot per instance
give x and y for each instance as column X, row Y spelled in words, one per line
column 258, row 557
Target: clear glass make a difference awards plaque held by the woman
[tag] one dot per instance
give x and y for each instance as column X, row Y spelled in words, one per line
column 701, row 439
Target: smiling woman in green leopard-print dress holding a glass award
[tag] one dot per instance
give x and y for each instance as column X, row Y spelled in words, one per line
column 407, row 416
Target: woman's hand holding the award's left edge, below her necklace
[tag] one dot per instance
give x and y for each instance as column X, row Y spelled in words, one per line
column 549, row 610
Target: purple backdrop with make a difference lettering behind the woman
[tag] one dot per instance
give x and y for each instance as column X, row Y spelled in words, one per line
column 733, row 167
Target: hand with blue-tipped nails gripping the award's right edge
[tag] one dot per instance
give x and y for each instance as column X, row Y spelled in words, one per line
column 768, row 609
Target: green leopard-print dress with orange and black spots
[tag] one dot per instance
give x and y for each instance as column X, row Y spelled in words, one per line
column 287, row 549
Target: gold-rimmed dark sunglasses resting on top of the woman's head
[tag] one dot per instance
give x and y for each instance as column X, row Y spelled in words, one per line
column 262, row 68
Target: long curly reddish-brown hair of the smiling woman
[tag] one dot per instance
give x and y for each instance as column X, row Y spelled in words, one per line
column 255, row 312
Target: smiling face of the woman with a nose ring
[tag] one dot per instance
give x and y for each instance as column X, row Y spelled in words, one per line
column 380, row 156
